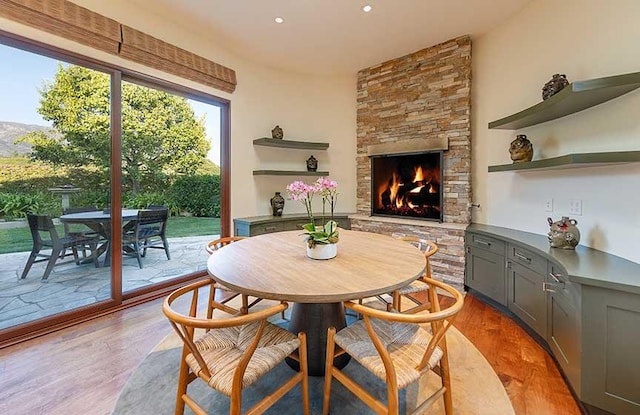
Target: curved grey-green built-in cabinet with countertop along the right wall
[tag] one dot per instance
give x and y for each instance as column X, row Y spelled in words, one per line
column 582, row 305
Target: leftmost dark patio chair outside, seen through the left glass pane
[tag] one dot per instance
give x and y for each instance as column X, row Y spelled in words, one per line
column 45, row 236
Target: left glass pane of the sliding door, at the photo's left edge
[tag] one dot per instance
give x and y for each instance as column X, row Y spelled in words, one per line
column 55, row 165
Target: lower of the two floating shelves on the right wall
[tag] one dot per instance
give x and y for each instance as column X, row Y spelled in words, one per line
column 572, row 161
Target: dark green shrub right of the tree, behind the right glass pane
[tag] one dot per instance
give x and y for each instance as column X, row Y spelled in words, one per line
column 198, row 195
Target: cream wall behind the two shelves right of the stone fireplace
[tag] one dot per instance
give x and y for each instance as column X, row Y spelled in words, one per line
column 583, row 39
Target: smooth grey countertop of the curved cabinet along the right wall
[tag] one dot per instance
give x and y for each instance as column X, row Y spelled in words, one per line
column 585, row 265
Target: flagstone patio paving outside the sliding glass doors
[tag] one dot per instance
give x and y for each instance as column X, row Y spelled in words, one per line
column 71, row 286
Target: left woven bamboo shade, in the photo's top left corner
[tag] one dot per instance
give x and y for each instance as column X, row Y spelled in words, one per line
column 67, row 20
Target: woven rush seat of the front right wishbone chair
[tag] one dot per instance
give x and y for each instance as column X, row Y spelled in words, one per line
column 406, row 344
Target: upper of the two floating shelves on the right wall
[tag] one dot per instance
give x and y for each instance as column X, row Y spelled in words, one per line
column 575, row 97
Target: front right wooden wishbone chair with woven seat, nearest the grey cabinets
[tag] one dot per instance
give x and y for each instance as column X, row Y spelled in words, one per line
column 396, row 348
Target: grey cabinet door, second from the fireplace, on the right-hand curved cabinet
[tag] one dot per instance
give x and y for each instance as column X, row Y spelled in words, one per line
column 526, row 297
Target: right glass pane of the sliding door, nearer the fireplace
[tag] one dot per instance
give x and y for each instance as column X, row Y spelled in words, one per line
column 170, row 184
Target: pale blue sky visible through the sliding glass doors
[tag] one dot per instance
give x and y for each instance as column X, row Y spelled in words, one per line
column 22, row 74
